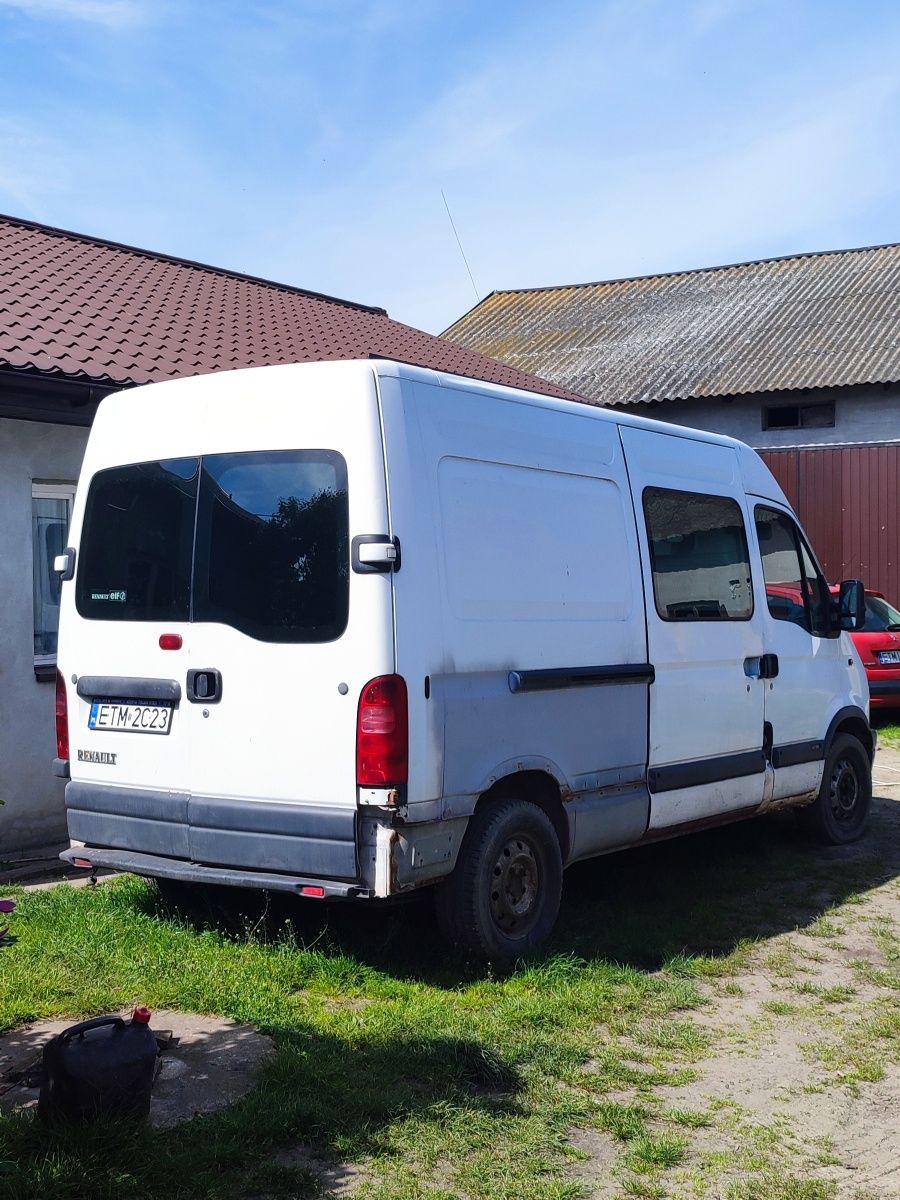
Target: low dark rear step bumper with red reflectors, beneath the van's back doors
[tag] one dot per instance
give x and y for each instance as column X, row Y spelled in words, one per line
column 155, row 867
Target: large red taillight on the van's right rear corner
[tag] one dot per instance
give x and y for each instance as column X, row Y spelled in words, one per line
column 383, row 734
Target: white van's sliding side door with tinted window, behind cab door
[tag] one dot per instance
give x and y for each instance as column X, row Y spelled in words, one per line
column 705, row 633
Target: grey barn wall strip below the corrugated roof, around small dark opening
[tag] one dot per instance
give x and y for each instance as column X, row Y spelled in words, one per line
column 861, row 415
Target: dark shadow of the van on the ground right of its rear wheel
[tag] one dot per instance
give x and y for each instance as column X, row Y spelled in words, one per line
column 706, row 893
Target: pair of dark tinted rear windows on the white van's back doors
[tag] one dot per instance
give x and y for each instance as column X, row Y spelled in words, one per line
column 257, row 541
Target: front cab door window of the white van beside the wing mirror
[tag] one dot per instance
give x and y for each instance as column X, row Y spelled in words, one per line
column 795, row 589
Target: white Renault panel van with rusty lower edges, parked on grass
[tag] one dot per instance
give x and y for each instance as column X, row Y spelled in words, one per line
column 349, row 629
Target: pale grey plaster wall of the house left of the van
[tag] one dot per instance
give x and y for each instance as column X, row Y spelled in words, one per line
column 33, row 811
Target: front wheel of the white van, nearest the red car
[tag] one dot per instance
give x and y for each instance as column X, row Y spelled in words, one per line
column 839, row 813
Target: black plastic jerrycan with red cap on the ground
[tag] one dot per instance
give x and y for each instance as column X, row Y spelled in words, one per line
column 104, row 1067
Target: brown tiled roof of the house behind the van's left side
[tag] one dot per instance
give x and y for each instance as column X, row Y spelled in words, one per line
column 86, row 309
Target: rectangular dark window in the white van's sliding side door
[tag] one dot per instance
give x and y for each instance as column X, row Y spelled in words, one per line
column 700, row 560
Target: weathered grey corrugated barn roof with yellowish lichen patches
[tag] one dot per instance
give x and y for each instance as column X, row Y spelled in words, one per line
column 811, row 321
